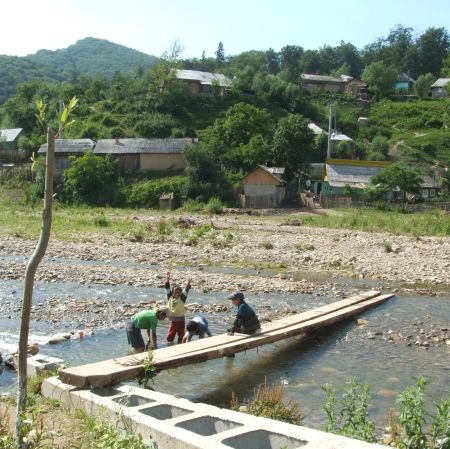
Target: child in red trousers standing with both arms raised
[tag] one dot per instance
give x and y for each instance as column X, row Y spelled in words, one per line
column 176, row 300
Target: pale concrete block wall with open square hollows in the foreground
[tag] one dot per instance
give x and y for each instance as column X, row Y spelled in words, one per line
column 175, row 423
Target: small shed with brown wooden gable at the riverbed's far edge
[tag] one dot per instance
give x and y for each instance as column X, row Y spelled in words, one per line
column 264, row 187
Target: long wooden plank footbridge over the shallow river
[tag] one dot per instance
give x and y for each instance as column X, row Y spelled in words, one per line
column 108, row 372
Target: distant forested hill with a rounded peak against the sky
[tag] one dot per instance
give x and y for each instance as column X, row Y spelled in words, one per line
column 89, row 56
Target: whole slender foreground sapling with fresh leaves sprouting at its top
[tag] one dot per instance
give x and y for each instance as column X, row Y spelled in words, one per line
column 63, row 122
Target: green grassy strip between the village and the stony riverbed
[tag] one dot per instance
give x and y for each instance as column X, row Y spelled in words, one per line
column 76, row 223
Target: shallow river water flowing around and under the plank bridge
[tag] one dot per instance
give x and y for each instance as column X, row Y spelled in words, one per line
column 334, row 356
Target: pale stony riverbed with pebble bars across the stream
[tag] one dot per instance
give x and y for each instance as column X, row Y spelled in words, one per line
column 222, row 254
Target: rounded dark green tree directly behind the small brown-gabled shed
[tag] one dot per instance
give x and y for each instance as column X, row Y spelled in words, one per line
column 293, row 144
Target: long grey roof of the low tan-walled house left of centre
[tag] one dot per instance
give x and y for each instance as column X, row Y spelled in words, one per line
column 140, row 145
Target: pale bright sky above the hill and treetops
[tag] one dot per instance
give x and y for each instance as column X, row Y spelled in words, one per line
column 152, row 26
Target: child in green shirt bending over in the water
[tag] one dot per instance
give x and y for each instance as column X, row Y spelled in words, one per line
column 148, row 320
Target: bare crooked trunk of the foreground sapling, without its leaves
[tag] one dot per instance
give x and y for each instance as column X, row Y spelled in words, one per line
column 28, row 290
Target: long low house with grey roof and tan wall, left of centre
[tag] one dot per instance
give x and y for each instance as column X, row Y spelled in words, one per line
column 146, row 154
